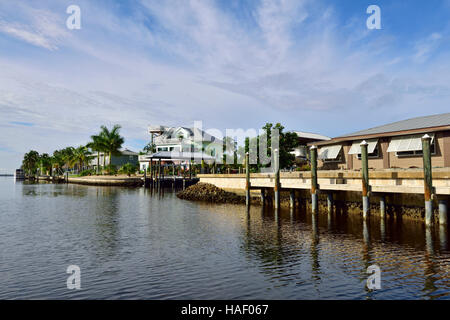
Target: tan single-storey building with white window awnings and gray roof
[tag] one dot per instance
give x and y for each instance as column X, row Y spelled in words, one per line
column 393, row 145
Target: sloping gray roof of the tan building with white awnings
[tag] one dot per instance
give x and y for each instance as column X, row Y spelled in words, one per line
column 436, row 120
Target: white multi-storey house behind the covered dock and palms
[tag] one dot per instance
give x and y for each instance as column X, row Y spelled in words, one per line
column 182, row 139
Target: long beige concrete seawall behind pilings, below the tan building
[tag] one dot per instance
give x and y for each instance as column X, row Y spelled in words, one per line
column 402, row 189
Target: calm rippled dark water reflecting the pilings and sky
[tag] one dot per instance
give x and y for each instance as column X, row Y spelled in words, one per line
column 131, row 244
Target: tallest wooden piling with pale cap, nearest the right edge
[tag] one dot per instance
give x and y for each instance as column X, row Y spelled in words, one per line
column 428, row 180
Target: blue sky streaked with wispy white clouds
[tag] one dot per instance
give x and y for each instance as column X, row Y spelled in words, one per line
column 310, row 64
